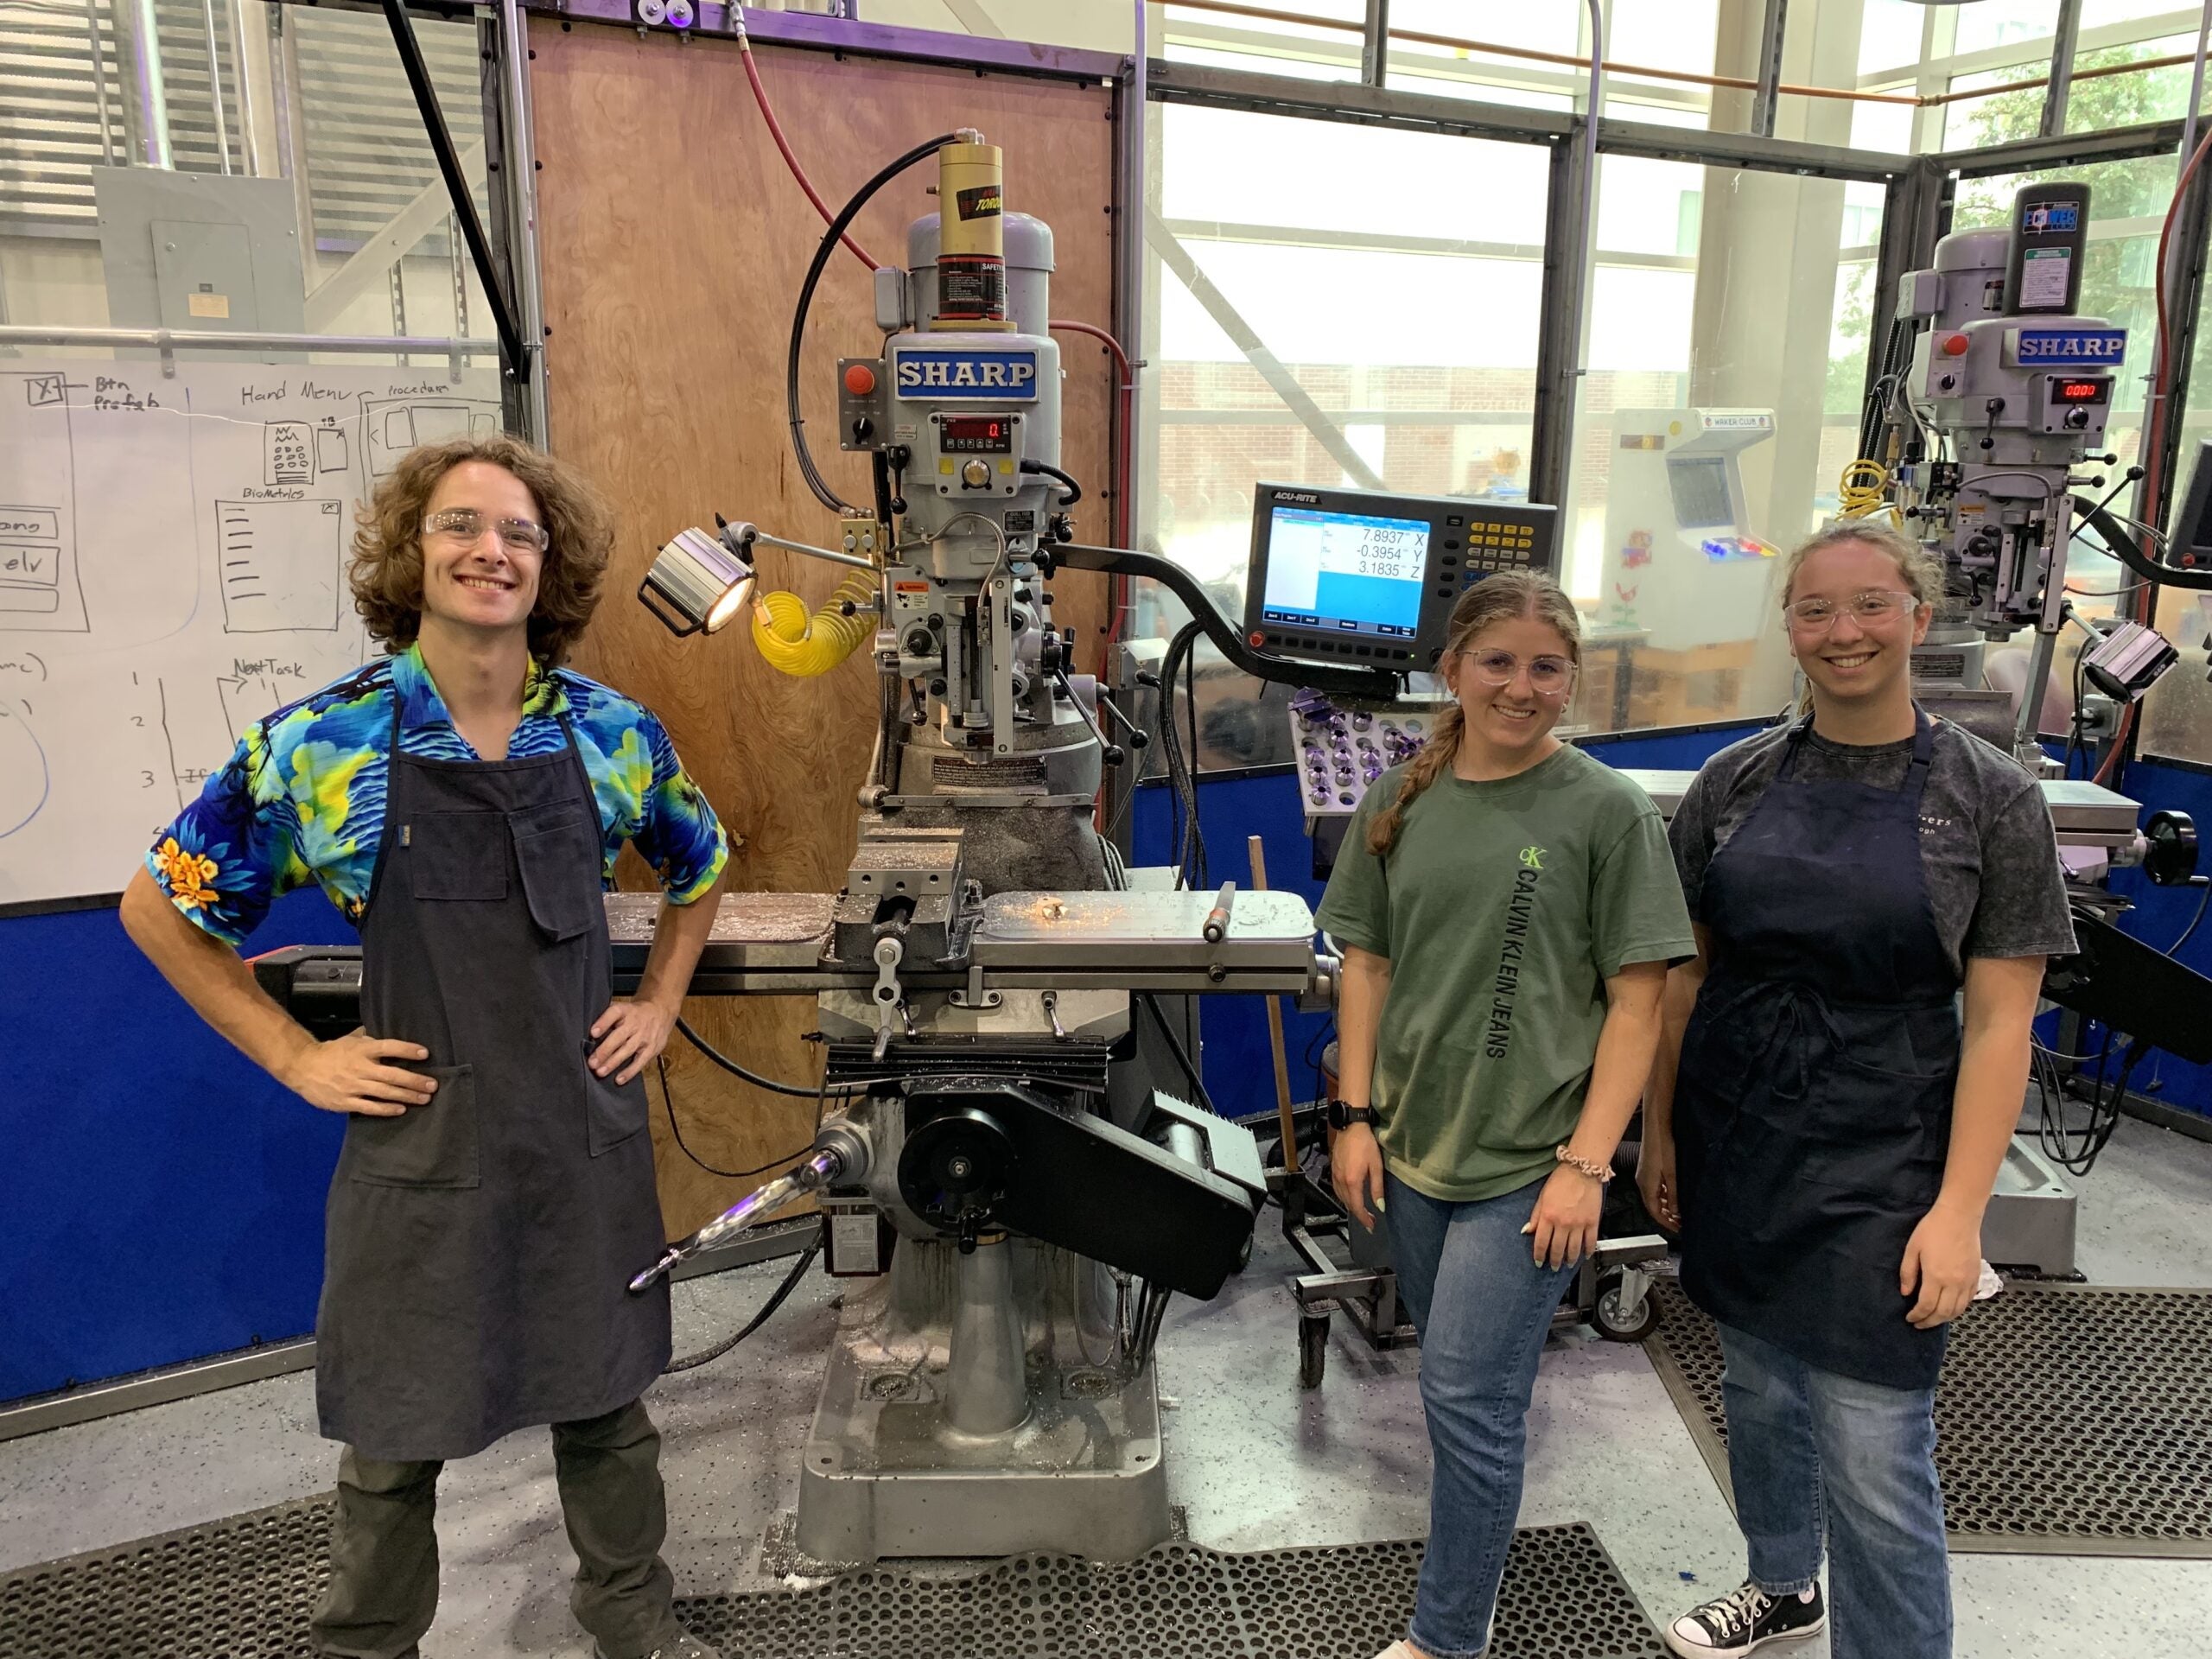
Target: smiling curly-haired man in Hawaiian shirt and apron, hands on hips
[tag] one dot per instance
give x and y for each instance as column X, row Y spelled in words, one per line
column 463, row 804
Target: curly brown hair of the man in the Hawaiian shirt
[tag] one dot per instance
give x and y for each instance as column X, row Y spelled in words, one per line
column 388, row 543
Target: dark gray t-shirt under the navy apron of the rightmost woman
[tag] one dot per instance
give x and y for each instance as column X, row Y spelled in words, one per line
column 1985, row 833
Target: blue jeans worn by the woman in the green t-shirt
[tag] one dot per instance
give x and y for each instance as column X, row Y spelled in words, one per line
column 1483, row 1306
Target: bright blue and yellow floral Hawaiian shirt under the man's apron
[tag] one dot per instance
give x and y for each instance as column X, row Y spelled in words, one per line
column 304, row 795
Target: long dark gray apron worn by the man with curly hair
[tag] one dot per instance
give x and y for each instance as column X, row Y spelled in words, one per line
column 479, row 1249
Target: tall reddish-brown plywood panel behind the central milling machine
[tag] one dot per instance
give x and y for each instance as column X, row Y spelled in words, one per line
column 674, row 253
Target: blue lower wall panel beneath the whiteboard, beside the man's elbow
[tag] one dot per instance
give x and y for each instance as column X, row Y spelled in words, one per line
column 165, row 1198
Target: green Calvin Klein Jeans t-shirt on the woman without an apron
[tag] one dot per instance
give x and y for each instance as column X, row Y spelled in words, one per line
column 1503, row 910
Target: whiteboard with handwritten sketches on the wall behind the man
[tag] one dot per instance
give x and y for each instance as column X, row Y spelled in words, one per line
column 171, row 570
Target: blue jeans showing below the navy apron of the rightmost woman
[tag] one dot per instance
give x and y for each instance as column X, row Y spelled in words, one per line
column 1815, row 1452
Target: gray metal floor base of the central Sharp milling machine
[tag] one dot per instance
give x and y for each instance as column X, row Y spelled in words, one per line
column 886, row 1474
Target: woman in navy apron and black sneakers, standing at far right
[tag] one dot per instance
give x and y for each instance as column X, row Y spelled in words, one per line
column 1830, row 1134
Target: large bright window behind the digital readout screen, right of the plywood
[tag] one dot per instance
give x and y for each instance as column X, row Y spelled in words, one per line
column 1337, row 306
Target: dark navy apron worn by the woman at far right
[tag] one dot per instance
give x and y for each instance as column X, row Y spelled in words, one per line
column 1813, row 1109
